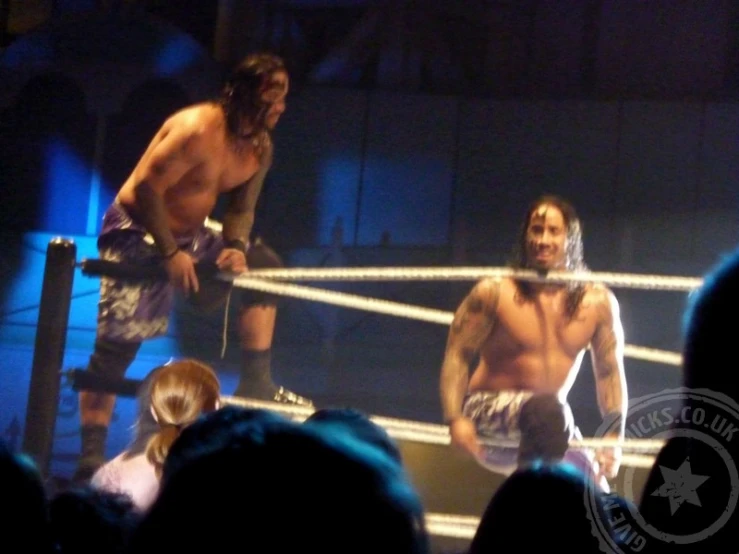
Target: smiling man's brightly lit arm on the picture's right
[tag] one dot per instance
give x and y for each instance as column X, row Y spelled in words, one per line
column 607, row 354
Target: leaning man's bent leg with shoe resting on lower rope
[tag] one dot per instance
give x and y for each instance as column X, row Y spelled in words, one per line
column 257, row 318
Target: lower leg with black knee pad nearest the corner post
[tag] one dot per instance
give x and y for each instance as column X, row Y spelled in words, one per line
column 110, row 359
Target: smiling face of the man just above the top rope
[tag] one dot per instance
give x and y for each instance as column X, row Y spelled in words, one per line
column 546, row 238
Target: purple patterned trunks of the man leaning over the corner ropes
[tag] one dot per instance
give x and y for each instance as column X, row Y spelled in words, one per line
column 133, row 312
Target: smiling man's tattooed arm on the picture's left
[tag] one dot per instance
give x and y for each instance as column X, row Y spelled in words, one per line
column 472, row 324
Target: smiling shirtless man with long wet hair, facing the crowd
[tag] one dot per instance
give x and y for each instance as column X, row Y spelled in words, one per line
column 529, row 338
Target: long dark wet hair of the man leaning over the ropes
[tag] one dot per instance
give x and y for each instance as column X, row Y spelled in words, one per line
column 241, row 97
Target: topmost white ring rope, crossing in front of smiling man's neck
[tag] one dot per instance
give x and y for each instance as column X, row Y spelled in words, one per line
column 624, row 280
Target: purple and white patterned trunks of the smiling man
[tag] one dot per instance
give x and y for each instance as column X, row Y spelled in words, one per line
column 495, row 414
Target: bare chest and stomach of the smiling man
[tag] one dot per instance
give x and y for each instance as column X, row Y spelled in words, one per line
column 533, row 344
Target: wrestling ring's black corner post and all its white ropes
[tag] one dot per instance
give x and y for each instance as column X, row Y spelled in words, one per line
column 54, row 311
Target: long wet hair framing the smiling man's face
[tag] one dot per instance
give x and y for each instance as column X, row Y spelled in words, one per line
column 574, row 250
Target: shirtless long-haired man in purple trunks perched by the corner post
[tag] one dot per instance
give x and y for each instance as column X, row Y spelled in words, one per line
column 160, row 217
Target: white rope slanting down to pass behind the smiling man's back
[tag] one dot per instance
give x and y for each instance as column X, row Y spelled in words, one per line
column 409, row 311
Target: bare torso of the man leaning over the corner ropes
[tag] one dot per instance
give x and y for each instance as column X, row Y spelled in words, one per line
column 191, row 161
